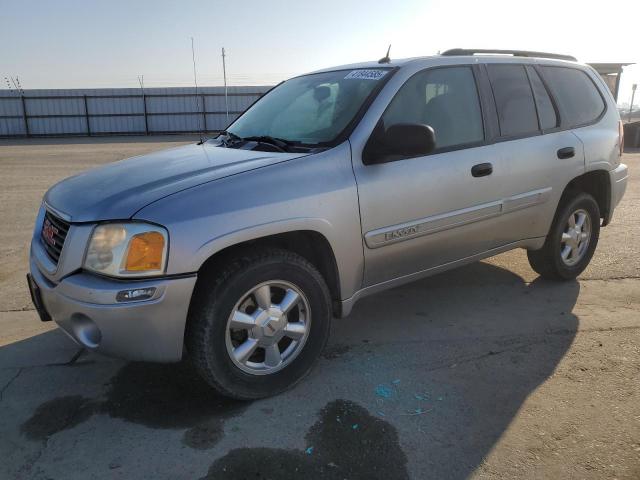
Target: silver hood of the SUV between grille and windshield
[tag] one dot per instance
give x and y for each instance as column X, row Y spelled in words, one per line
column 120, row 189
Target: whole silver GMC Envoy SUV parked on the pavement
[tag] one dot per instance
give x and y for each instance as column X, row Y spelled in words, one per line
column 237, row 252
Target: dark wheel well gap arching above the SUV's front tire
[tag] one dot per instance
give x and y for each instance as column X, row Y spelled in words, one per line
column 311, row 245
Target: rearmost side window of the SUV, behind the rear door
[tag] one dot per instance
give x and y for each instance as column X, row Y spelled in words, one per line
column 579, row 99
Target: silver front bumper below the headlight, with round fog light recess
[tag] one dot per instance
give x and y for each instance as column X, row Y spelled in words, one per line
column 85, row 307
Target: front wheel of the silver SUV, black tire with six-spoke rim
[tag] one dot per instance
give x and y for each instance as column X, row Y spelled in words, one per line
column 212, row 341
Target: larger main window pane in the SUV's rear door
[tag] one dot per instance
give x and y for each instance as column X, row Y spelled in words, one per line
column 514, row 100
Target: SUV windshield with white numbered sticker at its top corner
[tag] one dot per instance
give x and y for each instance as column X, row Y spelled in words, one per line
column 311, row 109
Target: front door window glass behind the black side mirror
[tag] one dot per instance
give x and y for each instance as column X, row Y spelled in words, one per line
column 445, row 99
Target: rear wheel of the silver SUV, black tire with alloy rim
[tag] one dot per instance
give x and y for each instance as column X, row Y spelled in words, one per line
column 548, row 262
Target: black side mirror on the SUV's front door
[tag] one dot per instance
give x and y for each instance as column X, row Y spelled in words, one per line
column 409, row 139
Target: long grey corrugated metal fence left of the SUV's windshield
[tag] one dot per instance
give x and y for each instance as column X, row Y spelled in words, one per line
column 126, row 111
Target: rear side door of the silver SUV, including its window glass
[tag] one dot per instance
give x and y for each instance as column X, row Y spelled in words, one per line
column 538, row 158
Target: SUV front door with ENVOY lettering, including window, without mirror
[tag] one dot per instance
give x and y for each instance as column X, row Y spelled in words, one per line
column 423, row 212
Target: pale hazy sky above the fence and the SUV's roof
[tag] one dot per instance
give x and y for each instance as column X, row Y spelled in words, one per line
column 95, row 43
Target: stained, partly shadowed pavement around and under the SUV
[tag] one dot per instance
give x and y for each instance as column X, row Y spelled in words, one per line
column 482, row 372
